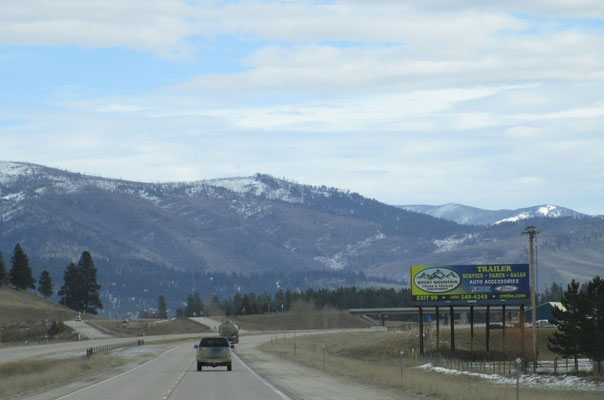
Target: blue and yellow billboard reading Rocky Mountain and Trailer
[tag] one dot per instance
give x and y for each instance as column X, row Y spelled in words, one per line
column 484, row 284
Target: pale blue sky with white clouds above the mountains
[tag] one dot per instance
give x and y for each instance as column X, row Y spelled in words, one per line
column 486, row 103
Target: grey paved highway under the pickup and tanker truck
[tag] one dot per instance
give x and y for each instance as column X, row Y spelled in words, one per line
column 256, row 375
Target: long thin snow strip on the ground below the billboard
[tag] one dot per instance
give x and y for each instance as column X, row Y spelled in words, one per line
column 530, row 380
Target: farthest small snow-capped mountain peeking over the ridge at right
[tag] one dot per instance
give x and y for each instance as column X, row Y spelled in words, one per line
column 476, row 216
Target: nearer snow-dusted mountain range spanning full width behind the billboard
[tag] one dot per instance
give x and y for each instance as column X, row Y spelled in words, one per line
column 260, row 233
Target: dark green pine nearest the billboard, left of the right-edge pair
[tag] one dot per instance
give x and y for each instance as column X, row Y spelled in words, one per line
column 571, row 334
